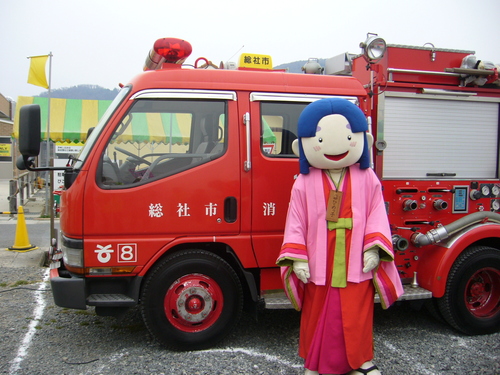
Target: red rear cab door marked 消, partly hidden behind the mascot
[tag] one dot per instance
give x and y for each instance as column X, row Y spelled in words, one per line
column 273, row 167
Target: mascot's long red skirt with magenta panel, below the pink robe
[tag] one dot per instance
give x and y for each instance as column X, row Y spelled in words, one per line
column 336, row 330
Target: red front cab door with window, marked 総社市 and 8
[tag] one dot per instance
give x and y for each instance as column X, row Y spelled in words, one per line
column 169, row 168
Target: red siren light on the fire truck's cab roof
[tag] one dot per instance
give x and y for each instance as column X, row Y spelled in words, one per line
column 169, row 51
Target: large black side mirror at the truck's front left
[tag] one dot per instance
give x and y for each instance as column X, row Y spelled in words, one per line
column 29, row 130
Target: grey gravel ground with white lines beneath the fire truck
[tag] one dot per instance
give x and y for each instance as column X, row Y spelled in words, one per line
column 79, row 342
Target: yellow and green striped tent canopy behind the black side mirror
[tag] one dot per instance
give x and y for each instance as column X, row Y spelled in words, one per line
column 70, row 119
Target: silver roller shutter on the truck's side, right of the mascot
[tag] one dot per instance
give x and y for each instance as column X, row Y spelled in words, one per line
column 426, row 137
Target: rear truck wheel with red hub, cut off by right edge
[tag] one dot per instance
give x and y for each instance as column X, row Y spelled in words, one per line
column 471, row 303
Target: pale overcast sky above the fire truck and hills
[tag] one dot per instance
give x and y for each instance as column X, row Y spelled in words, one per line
column 105, row 42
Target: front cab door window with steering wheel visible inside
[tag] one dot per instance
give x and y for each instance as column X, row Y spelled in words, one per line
column 162, row 137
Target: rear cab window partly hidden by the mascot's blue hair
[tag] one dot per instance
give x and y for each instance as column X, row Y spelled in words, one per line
column 279, row 127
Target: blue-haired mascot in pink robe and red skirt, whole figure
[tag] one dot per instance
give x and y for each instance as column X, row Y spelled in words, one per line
column 337, row 246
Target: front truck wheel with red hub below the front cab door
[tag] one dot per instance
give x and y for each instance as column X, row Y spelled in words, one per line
column 191, row 300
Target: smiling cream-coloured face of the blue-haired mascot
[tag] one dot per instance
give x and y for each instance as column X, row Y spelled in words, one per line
column 334, row 146
